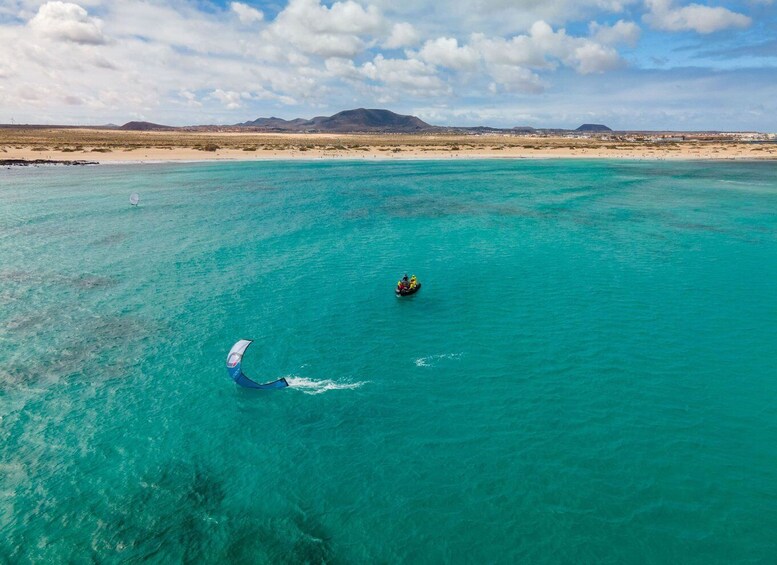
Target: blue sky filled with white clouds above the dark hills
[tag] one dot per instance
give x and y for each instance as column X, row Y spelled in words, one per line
column 630, row 64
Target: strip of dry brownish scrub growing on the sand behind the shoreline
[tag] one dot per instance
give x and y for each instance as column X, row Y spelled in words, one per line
column 72, row 141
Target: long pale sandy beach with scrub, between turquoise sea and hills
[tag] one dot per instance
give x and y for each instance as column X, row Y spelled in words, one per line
column 110, row 146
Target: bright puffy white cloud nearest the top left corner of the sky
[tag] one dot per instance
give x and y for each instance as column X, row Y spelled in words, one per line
column 67, row 22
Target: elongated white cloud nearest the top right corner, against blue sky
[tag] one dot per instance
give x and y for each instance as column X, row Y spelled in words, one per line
column 694, row 17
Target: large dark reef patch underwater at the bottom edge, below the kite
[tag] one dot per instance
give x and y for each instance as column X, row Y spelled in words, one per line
column 181, row 513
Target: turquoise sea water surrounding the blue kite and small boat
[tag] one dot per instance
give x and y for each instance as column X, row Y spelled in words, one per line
column 589, row 374
